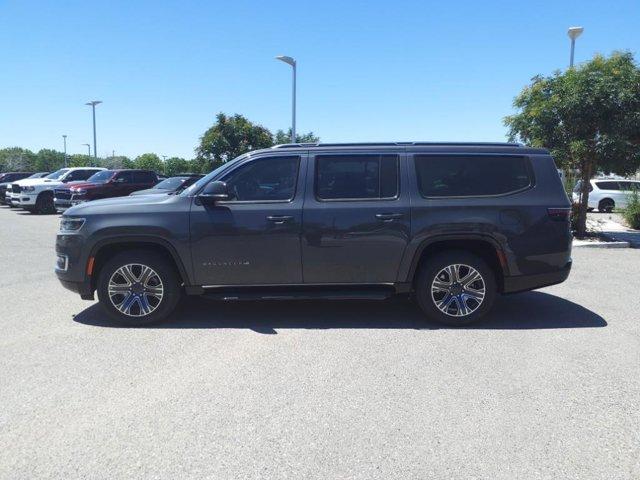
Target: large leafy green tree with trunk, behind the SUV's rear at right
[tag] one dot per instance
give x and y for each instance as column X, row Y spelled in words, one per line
column 588, row 116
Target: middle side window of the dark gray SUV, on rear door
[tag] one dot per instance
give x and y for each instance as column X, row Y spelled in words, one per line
column 356, row 176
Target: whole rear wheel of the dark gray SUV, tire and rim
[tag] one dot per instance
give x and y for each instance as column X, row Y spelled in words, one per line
column 455, row 288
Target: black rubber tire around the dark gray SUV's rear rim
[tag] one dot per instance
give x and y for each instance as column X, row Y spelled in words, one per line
column 427, row 276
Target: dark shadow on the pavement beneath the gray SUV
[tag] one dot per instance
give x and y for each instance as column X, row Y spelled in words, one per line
column 531, row 310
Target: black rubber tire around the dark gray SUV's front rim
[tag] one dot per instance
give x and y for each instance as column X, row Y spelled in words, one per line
column 172, row 291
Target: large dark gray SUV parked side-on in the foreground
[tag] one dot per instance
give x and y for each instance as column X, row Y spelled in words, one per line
column 451, row 224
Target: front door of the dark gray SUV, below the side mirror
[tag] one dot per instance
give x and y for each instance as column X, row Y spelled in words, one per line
column 253, row 242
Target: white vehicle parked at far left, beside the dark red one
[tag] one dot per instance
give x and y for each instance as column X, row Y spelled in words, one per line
column 36, row 195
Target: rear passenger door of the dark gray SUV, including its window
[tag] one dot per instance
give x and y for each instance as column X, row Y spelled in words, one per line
column 355, row 240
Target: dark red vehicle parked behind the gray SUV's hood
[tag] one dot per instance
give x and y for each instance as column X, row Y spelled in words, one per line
column 104, row 184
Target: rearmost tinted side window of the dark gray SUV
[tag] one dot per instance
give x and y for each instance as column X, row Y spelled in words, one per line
column 469, row 176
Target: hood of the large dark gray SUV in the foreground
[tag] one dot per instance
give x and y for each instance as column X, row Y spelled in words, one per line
column 116, row 205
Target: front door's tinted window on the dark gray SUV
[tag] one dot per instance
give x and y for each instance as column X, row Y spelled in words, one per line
column 272, row 178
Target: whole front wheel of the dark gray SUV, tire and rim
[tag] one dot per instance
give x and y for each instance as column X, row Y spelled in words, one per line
column 138, row 288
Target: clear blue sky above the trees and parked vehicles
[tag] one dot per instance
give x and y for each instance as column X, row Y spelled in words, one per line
column 367, row 70
